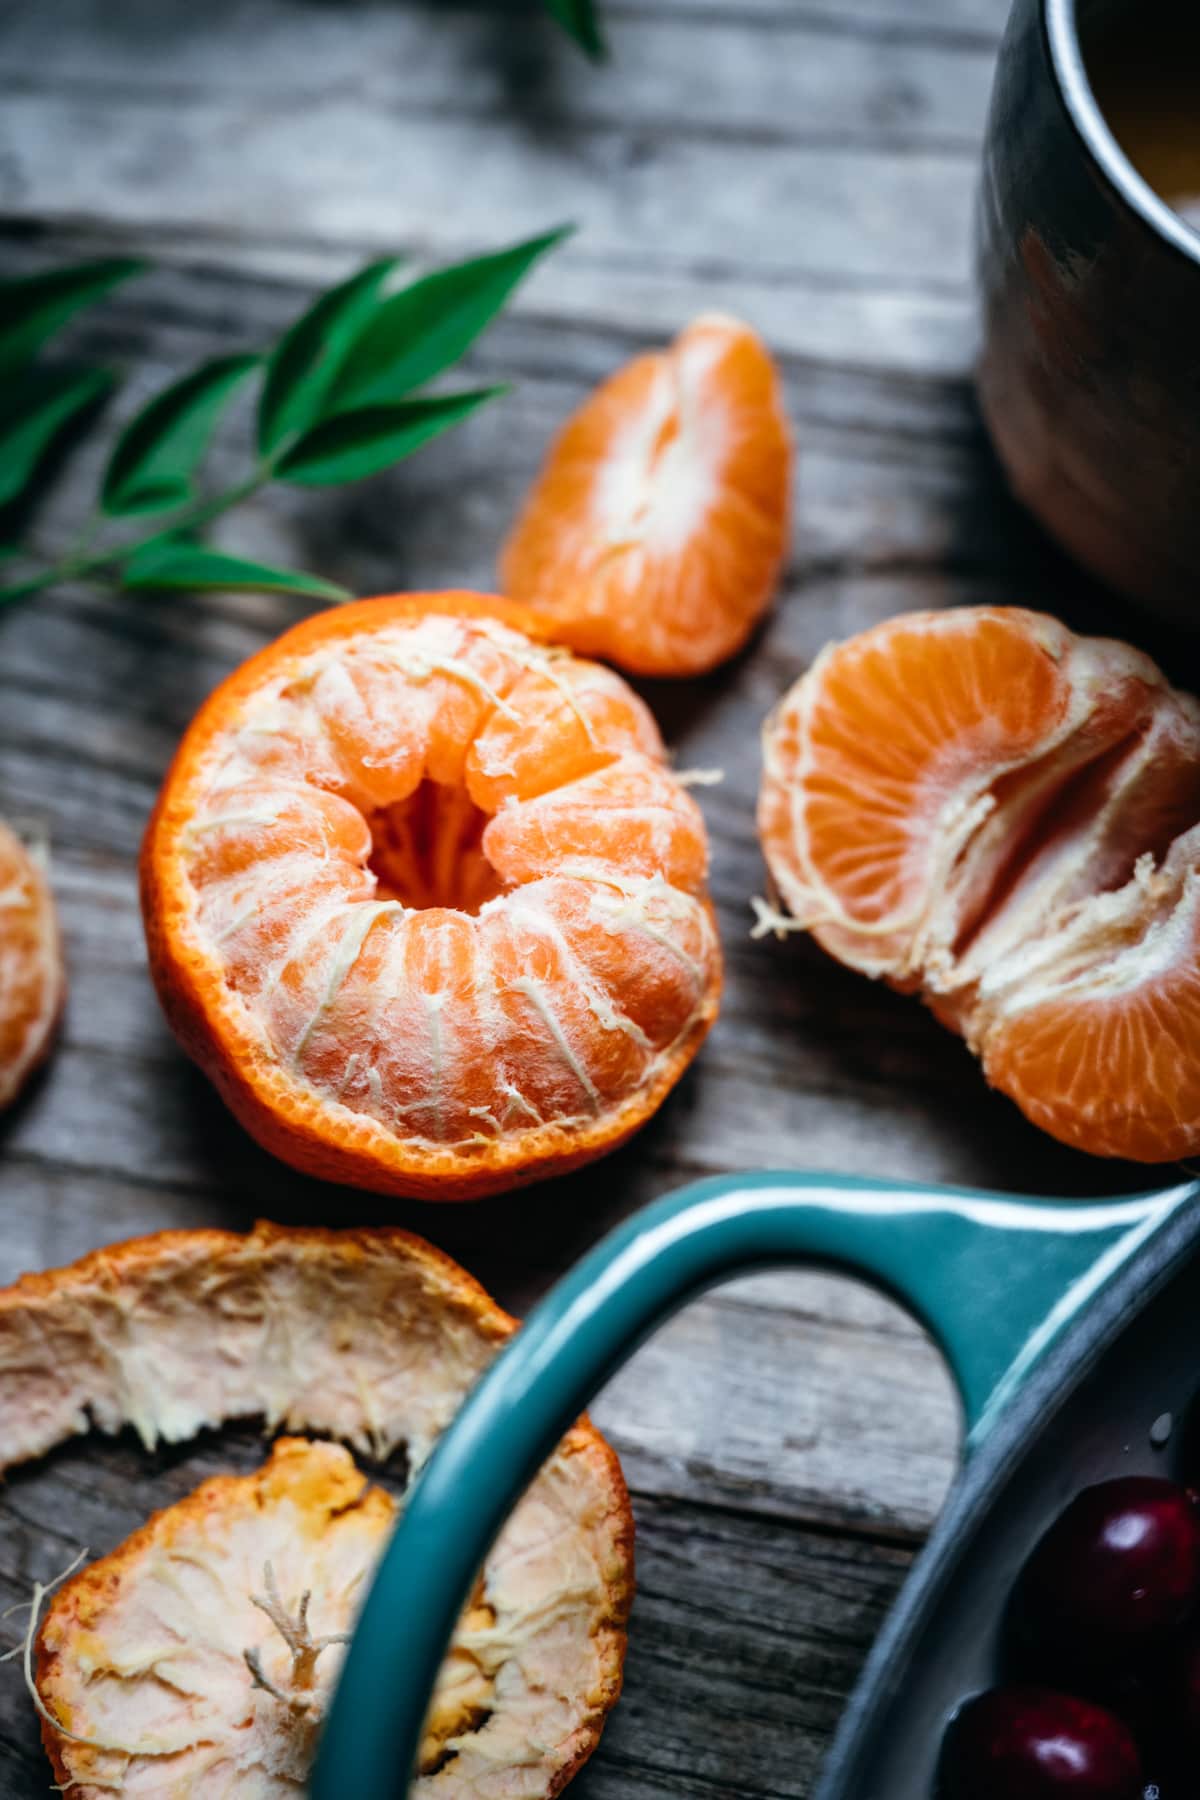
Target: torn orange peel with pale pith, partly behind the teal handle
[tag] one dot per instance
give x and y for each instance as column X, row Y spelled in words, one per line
column 372, row 1338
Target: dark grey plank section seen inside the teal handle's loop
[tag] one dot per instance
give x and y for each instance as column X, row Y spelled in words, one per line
column 744, row 1642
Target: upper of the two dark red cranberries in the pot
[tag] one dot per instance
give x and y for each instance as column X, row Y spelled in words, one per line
column 1115, row 1574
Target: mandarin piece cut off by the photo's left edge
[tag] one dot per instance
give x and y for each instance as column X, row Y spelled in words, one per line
column 31, row 966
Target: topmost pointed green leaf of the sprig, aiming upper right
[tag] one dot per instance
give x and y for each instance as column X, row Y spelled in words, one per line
column 427, row 327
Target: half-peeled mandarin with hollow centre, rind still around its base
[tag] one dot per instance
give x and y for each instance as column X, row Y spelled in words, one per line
column 425, row 901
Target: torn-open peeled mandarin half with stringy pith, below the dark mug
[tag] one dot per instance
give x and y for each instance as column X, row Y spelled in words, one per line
column 1005, row 818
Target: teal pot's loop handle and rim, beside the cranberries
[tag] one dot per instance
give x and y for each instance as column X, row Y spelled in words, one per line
column 1070, row 1331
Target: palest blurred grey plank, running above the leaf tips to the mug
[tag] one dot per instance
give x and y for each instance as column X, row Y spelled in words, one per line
column 328, row 170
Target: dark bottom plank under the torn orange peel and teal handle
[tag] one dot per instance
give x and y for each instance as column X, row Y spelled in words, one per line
column 735, row 1619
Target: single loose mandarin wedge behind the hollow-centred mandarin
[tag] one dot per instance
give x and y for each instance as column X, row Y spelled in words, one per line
column 658, row 528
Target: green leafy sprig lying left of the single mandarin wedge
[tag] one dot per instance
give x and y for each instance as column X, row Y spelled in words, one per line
column 341, row 397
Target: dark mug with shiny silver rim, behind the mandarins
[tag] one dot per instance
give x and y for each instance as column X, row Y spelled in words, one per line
column 1091, row 364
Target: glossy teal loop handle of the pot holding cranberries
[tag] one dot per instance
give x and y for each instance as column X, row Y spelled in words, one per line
column 996, row 1281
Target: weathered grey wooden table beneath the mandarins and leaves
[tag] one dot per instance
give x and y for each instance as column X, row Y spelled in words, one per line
column 812, row 166
